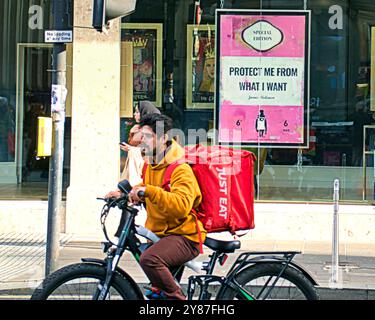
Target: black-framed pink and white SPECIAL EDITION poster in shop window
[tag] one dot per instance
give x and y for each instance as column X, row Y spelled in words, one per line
column 262, row 69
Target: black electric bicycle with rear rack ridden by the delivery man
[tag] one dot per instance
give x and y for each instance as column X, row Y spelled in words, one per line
column 253, row 275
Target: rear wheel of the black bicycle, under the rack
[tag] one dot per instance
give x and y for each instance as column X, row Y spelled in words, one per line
column 259, row 281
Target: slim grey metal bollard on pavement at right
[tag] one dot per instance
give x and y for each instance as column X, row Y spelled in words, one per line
column 335, row 236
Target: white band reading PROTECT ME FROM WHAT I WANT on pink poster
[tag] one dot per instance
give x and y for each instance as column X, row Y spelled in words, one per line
column 266, row 81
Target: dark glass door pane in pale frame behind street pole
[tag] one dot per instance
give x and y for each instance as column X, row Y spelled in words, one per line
column 33, row 100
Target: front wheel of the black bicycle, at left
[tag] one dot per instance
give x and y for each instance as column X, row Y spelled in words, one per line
column 81, row 282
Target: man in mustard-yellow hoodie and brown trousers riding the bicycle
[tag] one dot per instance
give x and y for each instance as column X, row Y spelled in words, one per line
column 169, row 213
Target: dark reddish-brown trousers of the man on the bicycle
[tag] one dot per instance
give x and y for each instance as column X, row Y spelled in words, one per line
column 170, row 251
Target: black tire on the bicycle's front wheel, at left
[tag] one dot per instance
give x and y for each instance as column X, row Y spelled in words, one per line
column 79, row 270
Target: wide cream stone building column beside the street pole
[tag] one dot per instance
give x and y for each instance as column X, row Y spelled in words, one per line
column 95, row 132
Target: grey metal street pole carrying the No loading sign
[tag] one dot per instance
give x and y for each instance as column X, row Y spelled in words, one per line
column 58, row 94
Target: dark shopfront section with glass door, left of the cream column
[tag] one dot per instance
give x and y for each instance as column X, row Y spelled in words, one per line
column 24, row 96
